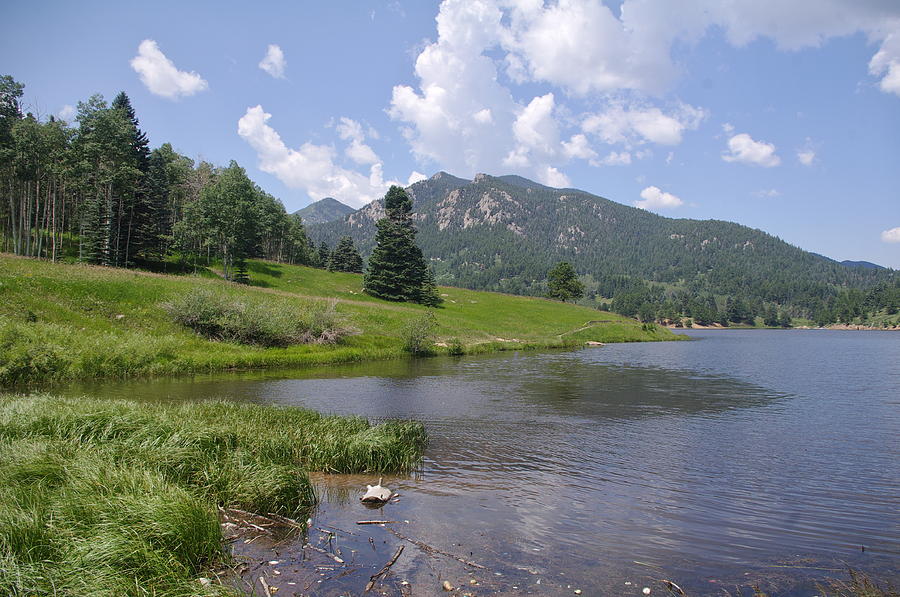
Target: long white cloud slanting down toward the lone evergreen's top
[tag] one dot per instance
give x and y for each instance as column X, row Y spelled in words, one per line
column 312, row 167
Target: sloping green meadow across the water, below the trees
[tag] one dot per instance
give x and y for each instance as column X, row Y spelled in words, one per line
column 63, row 322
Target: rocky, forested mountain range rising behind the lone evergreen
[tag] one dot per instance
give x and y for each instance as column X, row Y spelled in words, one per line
column 504, row 233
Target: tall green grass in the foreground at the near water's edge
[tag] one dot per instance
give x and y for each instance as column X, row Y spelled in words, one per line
column 116, row 498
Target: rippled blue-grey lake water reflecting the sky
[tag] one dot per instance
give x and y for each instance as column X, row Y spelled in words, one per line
column 742, row 457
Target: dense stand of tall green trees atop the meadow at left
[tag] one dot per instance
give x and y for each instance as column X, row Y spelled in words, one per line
column 95, row 191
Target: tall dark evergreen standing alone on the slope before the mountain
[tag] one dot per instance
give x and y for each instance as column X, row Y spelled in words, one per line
column 397, row 270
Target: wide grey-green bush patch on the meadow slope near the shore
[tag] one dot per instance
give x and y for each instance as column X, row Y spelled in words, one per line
column 269, row 324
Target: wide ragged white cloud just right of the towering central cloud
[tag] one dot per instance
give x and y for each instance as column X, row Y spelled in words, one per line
column 632, row 125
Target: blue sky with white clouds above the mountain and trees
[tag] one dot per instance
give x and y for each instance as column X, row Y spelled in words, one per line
column 782, row 116
